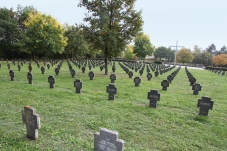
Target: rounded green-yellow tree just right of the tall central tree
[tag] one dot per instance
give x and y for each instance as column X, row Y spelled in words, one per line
column 143, row 47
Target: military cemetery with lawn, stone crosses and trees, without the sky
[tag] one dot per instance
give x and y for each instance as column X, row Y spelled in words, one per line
column 102, row 85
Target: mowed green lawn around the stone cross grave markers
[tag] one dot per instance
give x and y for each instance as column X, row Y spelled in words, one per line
column 69, row 120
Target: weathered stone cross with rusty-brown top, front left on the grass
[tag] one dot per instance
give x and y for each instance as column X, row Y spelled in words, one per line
column 32, row 121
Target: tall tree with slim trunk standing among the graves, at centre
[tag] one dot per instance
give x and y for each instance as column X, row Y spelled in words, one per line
column 112, row 25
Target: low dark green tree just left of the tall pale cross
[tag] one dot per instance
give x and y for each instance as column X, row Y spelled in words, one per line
column 165, row 53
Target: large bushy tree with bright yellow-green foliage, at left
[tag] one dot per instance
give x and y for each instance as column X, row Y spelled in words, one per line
column 43, row 36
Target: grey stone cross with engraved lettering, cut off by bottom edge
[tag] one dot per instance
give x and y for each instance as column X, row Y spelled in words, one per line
column 107, row 140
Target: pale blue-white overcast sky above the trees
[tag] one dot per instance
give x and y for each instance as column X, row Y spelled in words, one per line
column 191, row 22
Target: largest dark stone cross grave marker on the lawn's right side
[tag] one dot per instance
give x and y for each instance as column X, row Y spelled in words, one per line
column 205, row 104
